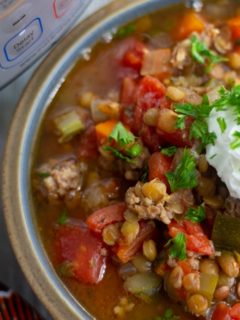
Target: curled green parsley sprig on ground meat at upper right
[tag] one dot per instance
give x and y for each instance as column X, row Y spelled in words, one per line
column 201, row 53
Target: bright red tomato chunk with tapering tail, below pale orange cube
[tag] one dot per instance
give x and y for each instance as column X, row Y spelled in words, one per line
column 149, row 94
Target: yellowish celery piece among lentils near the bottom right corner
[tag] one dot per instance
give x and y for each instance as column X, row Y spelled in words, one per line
column 208, row 284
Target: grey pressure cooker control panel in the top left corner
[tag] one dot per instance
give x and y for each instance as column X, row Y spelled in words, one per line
column 28, row 28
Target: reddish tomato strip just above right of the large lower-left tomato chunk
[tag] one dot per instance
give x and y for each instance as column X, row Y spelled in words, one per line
column 105, row 216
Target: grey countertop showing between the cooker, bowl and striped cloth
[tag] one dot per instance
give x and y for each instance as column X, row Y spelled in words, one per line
column 10, row 272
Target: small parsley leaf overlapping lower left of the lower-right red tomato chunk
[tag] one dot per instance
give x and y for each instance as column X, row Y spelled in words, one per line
column 177, row 246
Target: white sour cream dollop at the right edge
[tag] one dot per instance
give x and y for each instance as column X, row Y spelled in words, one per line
column 221, row 156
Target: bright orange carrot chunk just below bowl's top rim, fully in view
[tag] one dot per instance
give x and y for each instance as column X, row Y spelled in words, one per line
column 190, row 22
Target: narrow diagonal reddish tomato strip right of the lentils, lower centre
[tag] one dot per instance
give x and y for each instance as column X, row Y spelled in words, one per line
column 125, row 252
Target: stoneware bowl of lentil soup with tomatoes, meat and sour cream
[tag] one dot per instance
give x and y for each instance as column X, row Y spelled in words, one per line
column 121, row 171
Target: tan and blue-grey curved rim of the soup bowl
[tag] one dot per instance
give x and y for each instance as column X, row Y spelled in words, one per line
column 17, row 199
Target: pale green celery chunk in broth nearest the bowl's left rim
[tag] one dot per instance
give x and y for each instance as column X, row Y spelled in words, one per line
column 68, row 125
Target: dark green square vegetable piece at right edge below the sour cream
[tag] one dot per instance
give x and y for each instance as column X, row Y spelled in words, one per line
column 225, row 234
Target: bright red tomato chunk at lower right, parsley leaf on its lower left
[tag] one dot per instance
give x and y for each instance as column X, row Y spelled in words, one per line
column 196, row 240
